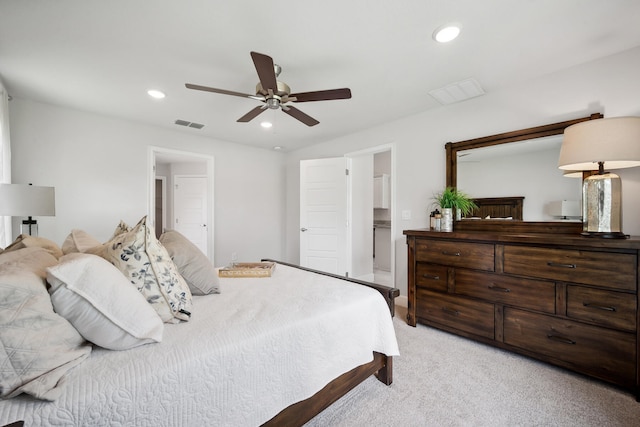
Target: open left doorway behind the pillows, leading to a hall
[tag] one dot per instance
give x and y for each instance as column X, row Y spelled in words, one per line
column 169, row 164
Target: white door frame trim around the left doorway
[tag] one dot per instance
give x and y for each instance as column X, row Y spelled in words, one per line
column 182, row 156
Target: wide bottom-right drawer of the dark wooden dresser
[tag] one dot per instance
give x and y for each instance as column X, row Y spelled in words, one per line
column 601, row 352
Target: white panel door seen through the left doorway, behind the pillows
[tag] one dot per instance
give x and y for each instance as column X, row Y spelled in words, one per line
column 190, row 209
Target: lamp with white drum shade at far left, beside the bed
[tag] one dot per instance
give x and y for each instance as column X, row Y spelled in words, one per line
column 27, row 200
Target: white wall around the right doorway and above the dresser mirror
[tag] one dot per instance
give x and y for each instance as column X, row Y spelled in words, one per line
column 610, row 86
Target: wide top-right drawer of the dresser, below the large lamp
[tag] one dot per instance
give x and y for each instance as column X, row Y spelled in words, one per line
column 604, row 269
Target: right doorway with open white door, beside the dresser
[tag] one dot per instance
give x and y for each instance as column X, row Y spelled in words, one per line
column 356, row 222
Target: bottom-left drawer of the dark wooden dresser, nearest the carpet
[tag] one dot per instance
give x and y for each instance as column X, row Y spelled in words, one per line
column 457, row 312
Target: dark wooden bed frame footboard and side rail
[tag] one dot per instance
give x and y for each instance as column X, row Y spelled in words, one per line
column 381, row 366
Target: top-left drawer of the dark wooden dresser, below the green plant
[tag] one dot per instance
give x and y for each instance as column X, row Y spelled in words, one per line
column 478, row 256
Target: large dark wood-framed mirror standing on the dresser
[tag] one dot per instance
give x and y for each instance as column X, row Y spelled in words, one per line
column 464, row 170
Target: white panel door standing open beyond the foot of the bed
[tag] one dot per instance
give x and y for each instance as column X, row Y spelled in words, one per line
column 323, row 215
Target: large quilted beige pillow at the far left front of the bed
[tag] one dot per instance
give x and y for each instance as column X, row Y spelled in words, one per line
column 38, row 347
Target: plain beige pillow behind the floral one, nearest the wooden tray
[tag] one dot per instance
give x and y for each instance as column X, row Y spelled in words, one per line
column 192, row 264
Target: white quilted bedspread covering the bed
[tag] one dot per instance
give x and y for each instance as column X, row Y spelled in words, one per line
column 247, row 353
